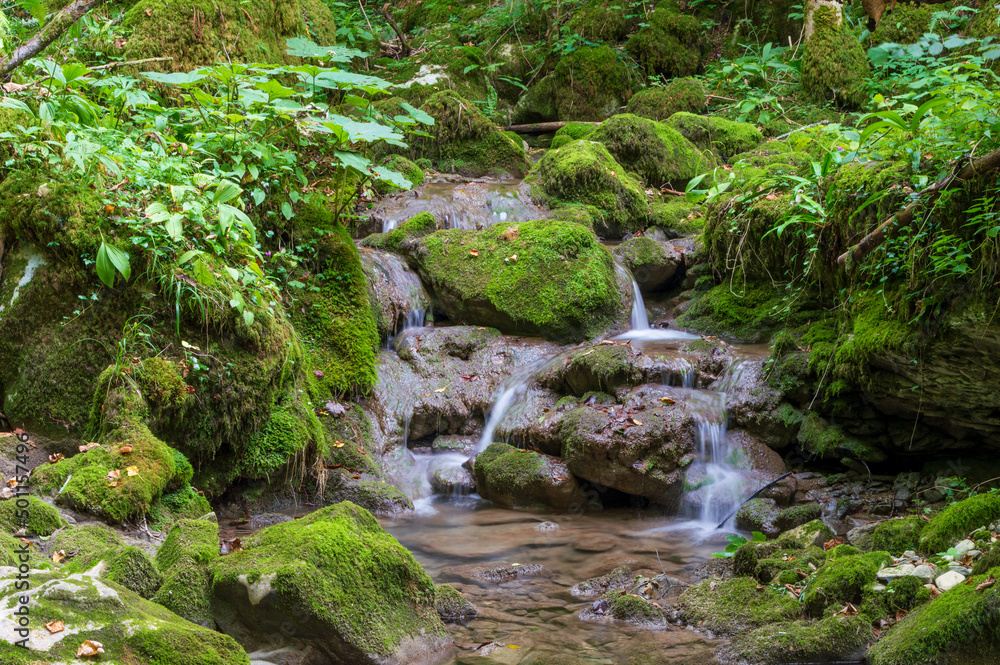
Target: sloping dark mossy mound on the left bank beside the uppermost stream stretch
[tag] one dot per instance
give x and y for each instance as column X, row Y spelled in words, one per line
column 462, row 140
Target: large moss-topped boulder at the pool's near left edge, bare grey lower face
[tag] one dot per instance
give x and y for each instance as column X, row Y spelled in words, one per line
column 335, row 579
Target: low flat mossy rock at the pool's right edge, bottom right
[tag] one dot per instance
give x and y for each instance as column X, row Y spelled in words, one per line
column 734, row 606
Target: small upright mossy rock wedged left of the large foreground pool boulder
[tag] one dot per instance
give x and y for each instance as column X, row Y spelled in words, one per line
column 183, row 559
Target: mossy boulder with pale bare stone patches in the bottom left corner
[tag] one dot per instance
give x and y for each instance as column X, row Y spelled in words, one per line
column 130, row 628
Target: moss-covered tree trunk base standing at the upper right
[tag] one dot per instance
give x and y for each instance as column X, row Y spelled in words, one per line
column 834, row 65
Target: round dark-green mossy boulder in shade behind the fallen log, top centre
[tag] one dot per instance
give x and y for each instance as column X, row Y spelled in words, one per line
column 590, row 83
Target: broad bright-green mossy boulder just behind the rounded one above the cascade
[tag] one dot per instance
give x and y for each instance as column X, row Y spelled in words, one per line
column 657, row 152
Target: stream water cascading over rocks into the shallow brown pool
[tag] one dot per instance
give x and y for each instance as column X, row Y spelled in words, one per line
column 456, row 535
